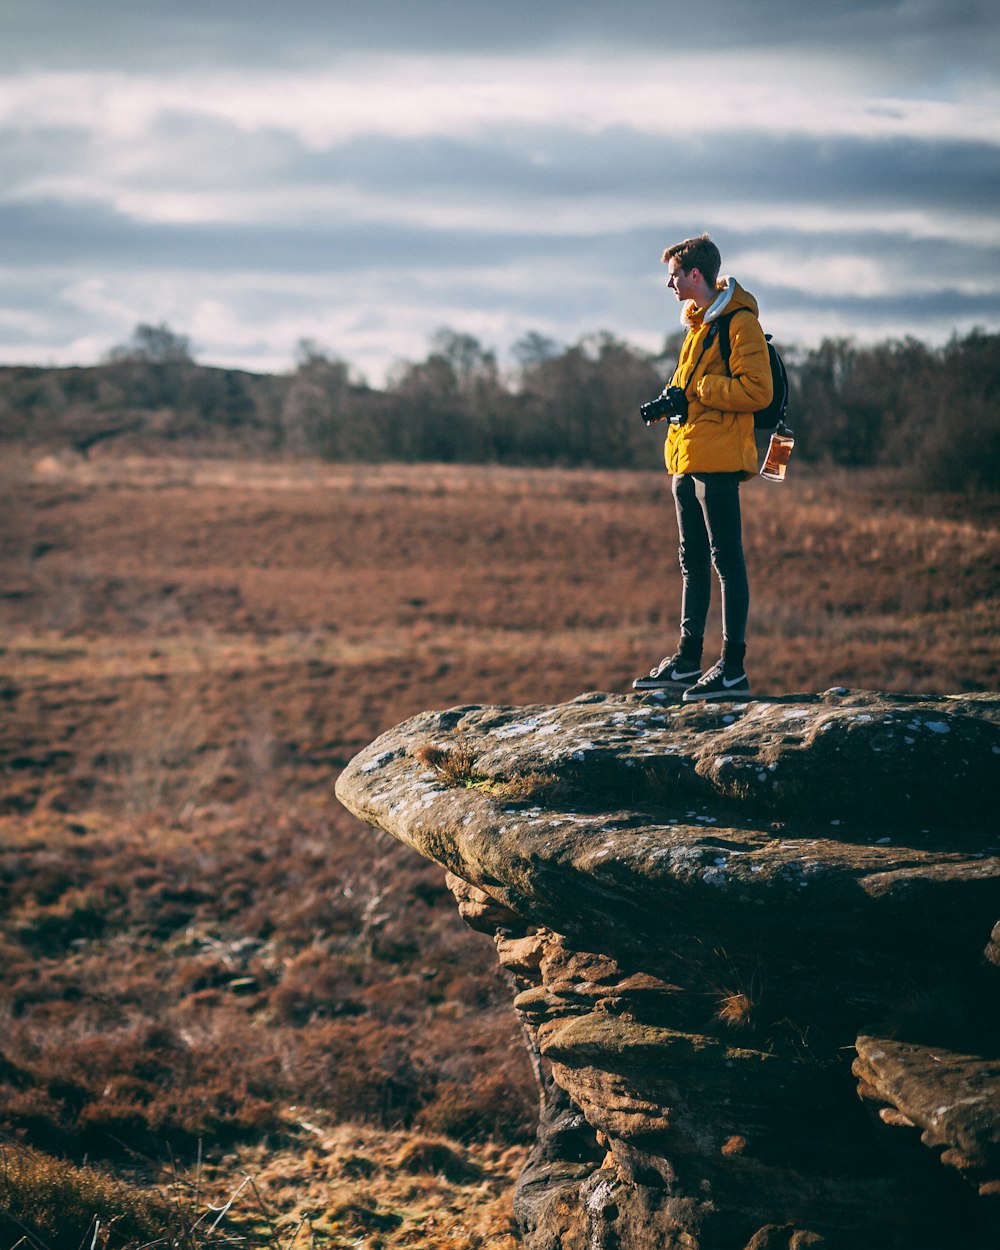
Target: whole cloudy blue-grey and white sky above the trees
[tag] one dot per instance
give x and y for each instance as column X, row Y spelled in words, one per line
column 363, row 174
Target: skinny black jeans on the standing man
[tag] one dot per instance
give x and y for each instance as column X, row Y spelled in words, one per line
column 711, row 529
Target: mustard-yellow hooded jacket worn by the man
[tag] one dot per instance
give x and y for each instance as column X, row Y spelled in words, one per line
column 719, row 433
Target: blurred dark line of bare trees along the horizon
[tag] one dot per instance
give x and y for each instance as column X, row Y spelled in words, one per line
column 934, row 412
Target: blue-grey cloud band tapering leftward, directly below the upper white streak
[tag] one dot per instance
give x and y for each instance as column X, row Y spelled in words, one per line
column 756, row 168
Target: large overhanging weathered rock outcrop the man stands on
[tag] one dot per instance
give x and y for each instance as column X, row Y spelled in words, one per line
column 724, row 923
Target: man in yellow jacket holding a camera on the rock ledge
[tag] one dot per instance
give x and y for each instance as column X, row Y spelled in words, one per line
column 711, row 451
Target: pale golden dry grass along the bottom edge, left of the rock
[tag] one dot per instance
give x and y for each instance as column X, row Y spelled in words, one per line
column 341, row 1187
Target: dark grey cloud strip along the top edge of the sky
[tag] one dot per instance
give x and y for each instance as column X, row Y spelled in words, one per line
column 174, row 34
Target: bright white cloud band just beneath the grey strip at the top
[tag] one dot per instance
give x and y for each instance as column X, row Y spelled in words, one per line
column 416, row 97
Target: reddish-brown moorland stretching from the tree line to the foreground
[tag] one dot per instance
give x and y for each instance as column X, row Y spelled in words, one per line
column 203, row 954
